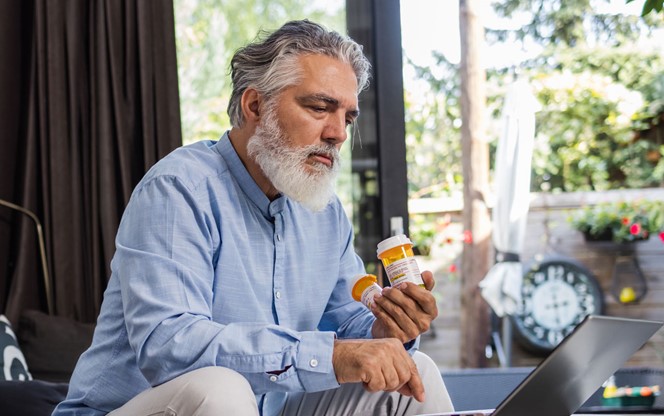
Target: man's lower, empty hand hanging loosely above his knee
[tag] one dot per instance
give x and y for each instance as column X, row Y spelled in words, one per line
column 380, row 364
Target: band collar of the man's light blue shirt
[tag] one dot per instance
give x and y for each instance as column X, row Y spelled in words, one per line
column 248, row 185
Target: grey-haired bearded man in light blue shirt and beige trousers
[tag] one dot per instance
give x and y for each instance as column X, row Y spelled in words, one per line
column 229, row 292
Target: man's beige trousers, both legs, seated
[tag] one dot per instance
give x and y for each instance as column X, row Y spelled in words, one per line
column 219, row 391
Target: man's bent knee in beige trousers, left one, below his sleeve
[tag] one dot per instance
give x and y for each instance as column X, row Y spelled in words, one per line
column 219, row 390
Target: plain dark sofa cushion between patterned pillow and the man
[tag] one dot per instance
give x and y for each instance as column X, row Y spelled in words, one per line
column 52, row 344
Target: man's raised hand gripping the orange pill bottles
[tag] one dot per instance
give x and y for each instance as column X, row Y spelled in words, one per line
column 405, row 311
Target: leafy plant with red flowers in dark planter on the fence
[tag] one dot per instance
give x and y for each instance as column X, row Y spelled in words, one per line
column 620, row 222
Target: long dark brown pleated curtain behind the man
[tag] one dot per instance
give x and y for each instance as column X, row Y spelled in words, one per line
column 88, row 102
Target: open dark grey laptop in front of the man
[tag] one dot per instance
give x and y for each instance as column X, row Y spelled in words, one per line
column 575, row 369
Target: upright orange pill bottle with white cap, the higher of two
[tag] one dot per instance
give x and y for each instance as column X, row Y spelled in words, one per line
column 398, row 258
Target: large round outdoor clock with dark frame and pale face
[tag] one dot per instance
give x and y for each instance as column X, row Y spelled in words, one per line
column 556, row 296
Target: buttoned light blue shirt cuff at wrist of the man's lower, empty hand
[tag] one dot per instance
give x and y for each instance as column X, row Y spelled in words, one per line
column 314, row 361
